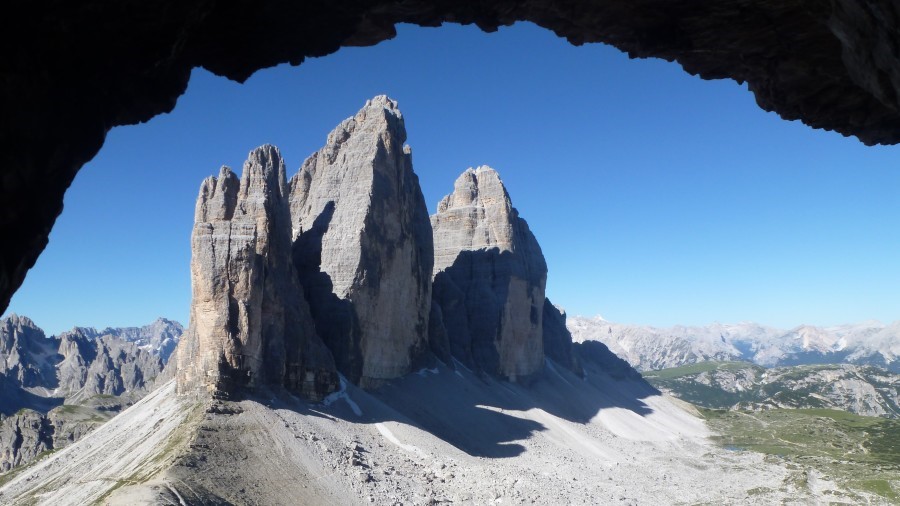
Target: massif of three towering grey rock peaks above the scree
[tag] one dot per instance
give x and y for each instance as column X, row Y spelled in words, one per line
column 332, row 272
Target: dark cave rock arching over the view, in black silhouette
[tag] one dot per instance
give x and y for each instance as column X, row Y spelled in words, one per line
column 70, row 71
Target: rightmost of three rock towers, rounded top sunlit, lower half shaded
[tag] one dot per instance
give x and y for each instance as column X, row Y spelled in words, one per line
column 489, row 278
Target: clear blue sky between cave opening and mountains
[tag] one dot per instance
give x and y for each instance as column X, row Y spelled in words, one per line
column 657, row 197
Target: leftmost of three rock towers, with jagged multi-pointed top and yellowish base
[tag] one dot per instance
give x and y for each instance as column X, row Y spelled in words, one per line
column 250, row 324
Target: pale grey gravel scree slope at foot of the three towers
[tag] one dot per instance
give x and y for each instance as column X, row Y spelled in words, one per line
column 439, row 436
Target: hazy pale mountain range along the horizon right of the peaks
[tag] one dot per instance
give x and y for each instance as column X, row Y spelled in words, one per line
column 869, row 343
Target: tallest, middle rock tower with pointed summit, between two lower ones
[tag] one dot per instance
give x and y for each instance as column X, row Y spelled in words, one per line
column 363, row 245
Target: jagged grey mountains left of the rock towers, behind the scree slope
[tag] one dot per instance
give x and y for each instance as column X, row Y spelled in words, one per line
column 53, row 390
